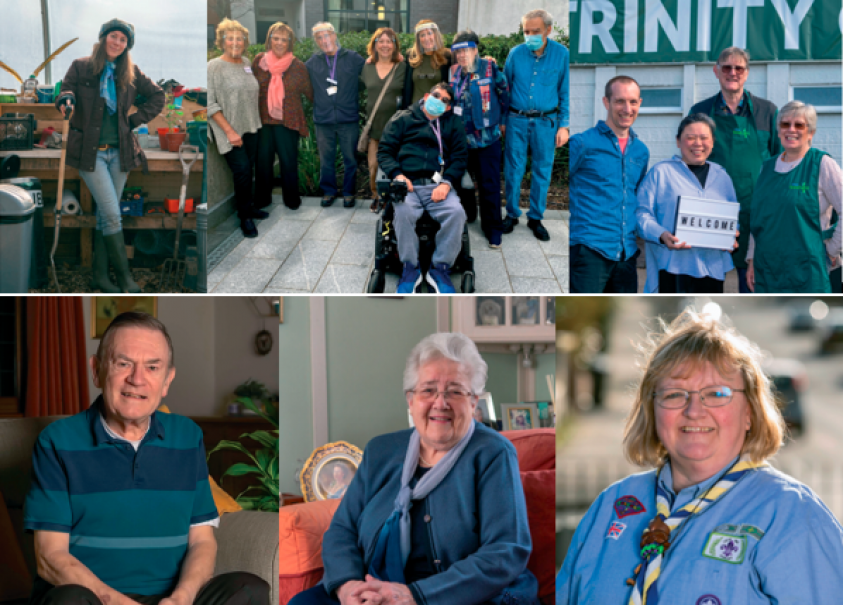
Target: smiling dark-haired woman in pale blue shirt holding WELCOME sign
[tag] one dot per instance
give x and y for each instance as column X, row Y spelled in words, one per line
column 674, row 266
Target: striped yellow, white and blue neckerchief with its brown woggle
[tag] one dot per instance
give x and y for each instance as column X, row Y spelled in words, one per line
column 656, row 538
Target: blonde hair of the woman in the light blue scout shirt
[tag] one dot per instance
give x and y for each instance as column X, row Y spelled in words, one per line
column 697, row 339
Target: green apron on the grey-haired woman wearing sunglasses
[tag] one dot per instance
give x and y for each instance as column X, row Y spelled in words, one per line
column 790, row 255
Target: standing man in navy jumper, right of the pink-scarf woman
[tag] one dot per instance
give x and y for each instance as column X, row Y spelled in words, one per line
column 335, row 75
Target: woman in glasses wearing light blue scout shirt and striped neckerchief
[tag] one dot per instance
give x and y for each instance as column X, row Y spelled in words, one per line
column 713, row 524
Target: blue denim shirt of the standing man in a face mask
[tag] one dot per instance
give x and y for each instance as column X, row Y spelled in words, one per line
column 539, row 83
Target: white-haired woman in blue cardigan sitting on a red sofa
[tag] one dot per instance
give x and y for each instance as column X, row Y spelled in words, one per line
column 435, row 514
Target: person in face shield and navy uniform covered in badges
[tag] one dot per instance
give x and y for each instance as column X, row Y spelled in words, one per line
column 481, row 98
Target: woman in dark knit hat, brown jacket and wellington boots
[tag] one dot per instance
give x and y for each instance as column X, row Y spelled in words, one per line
column 99, row 90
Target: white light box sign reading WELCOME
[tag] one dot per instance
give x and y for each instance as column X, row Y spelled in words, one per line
column 706, row 223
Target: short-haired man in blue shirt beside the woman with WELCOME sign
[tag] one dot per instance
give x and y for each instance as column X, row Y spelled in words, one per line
column 607, row 165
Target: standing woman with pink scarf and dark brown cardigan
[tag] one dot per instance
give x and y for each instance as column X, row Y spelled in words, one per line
column 283, row 81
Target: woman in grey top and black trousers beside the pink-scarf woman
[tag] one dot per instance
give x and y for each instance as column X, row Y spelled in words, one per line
column 234, row 116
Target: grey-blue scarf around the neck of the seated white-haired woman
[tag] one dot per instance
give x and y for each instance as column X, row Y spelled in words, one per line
column 393, row 546
